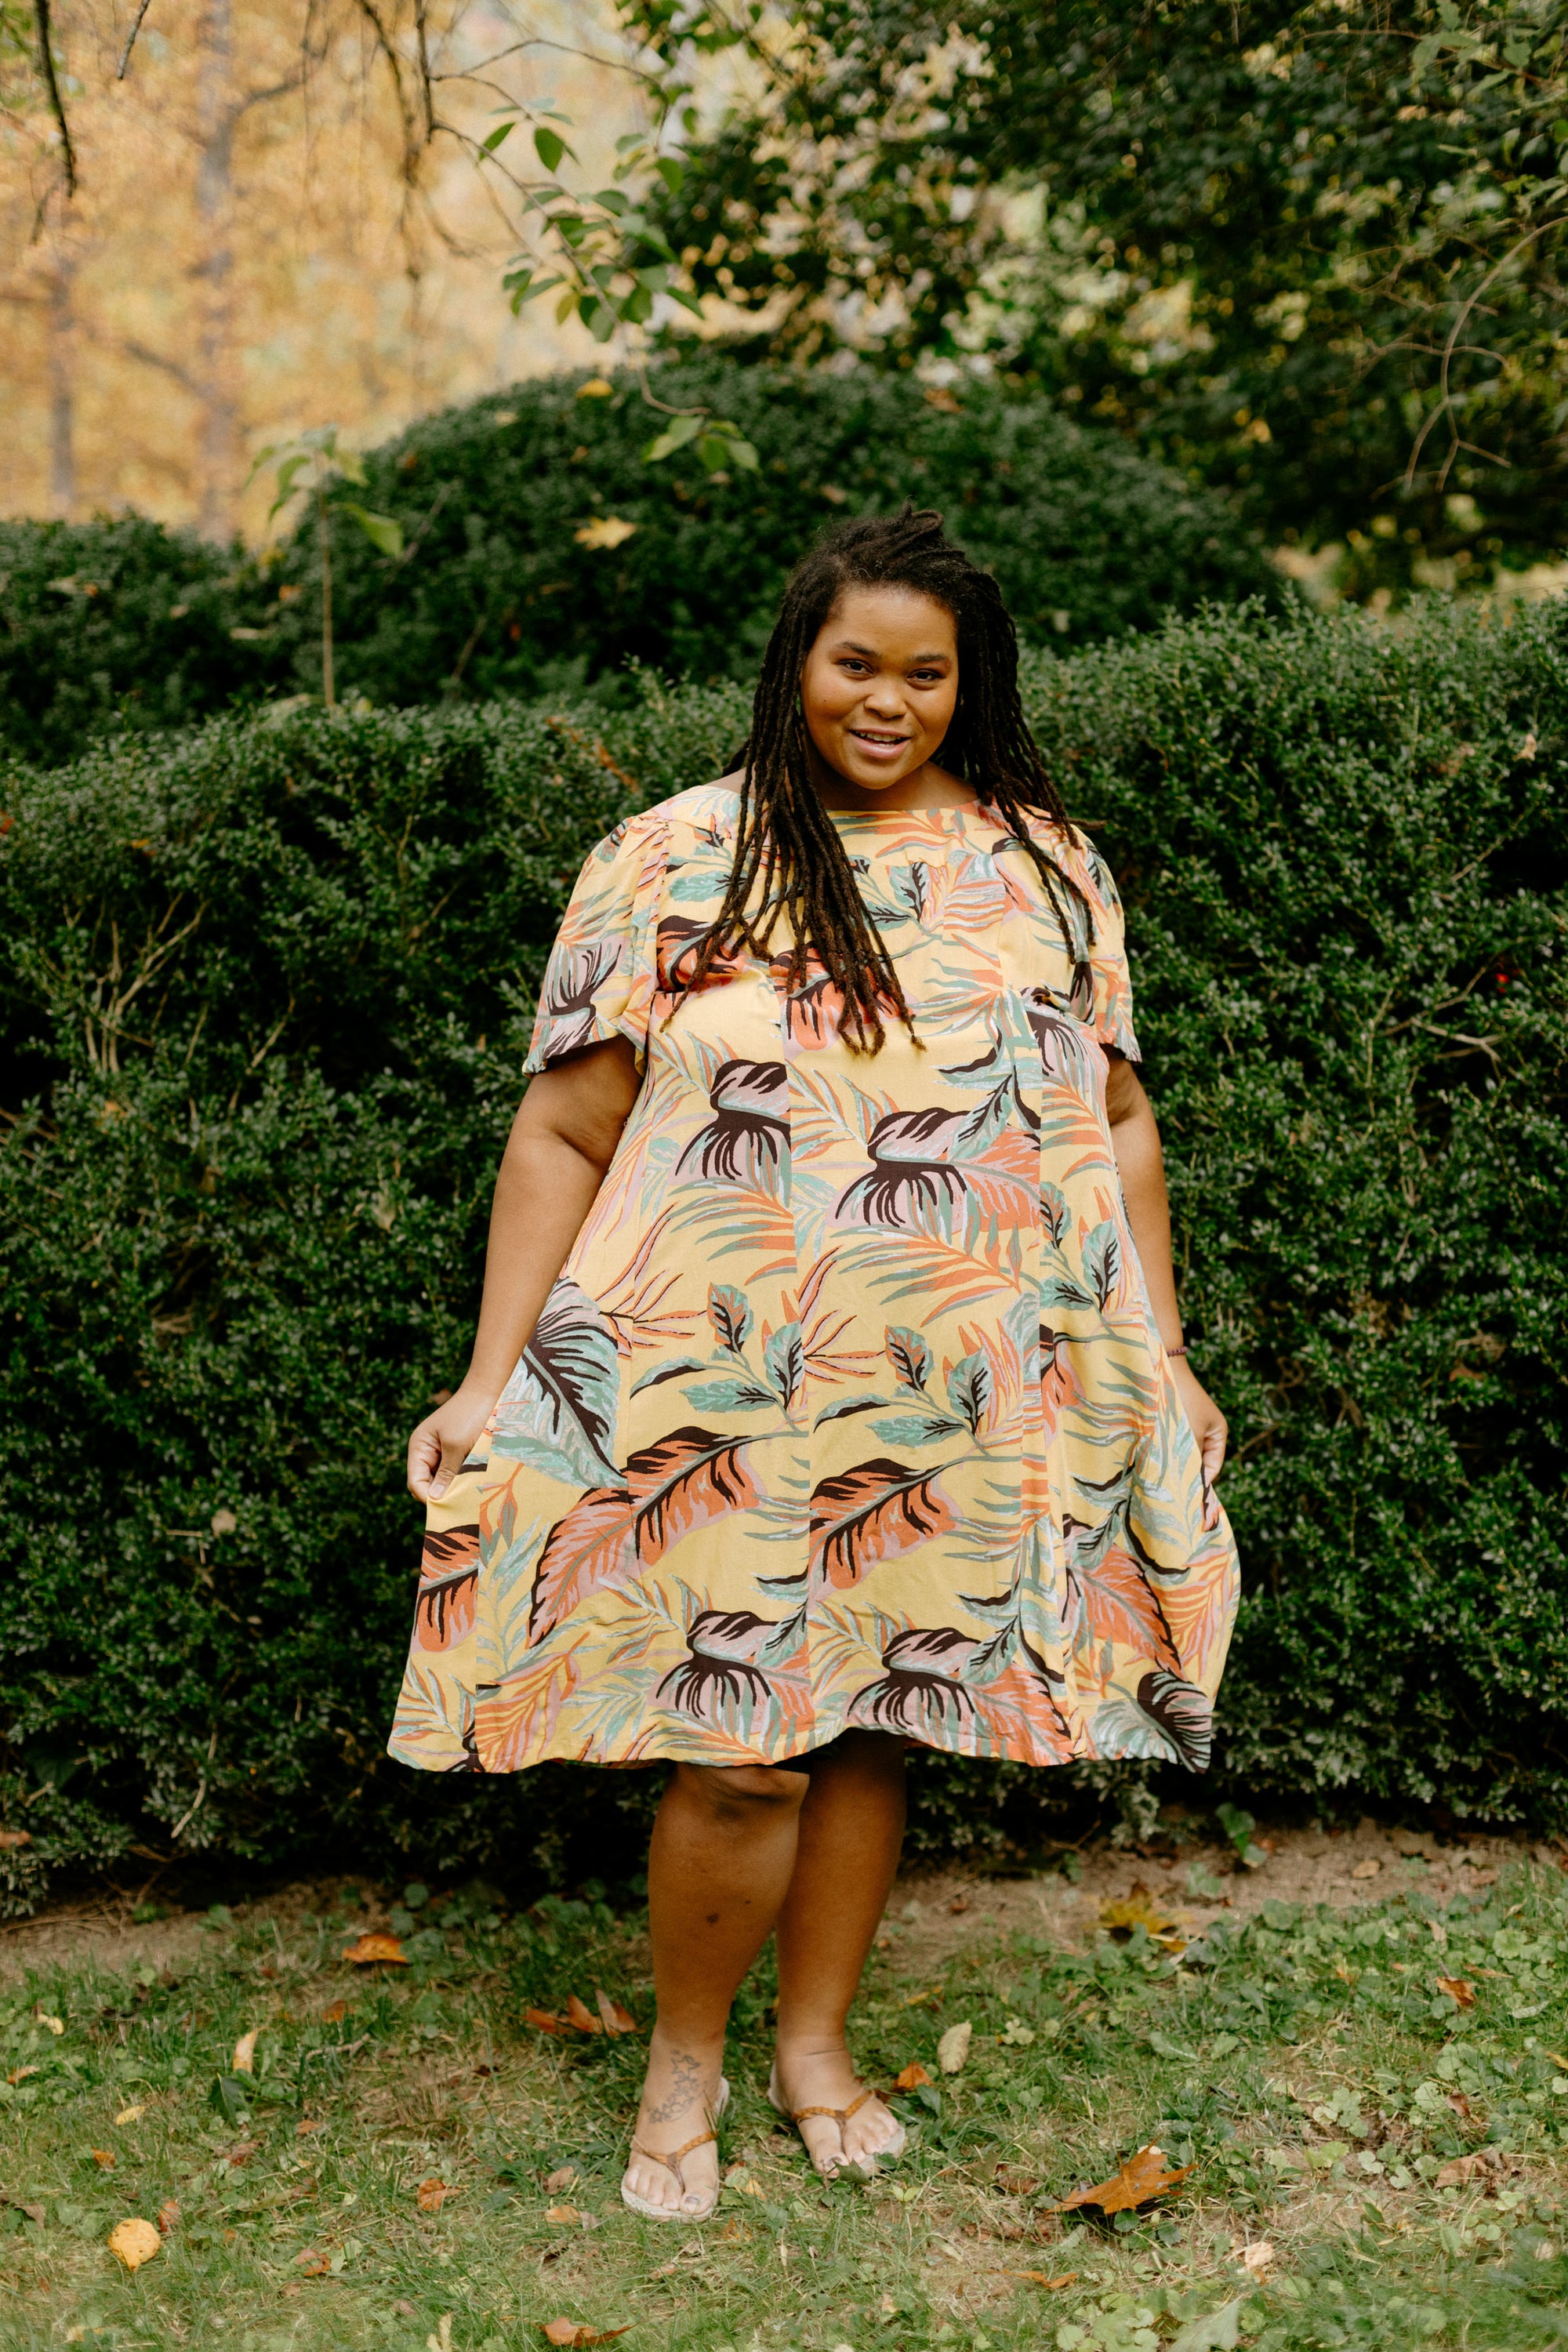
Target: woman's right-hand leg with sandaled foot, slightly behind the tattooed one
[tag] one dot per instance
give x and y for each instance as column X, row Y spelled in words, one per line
column 845, row 1864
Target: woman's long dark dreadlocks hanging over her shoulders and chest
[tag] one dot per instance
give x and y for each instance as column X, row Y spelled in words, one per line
column 789, row 853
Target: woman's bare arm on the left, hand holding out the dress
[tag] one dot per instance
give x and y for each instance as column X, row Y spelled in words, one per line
column 563, row 1140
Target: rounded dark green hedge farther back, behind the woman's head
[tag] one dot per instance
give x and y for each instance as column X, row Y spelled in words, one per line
column 116, row 627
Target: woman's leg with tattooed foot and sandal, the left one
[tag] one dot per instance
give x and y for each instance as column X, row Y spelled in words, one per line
column 718, row 1871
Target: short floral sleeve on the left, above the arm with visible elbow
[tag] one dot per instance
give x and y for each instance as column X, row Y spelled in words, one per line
column 601, row 973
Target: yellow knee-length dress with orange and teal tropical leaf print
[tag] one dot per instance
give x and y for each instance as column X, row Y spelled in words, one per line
column 847, row 1408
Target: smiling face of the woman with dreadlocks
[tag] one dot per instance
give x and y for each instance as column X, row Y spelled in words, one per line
column 880, row 686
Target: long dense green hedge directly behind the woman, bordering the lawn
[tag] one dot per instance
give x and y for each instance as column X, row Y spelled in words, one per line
column 262, row 1015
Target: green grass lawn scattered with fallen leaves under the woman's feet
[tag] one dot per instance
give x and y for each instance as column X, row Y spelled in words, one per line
column 1372, row 2158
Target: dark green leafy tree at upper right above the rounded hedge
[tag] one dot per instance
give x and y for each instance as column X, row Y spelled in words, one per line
column 1308, row 253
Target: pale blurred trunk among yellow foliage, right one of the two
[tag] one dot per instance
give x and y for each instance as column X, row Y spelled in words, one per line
column 215, row 340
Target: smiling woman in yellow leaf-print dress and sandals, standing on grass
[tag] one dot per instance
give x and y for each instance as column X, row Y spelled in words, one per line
column 829, row 1391
